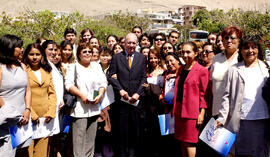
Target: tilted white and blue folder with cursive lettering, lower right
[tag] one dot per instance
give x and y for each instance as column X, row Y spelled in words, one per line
column 220, row 139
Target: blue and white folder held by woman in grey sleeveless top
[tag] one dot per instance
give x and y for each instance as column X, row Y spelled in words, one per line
column 20, row 134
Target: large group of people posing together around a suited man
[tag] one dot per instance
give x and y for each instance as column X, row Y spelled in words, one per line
column 120, row 89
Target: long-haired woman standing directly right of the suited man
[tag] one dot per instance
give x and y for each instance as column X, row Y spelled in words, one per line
column 151, row 106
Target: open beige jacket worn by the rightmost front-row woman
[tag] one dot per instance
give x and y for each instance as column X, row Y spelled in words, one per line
column 230, row 109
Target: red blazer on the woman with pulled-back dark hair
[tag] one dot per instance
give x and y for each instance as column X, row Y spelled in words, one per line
column 194, row 91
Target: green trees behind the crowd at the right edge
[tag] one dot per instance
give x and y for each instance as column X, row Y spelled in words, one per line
column 251, row 22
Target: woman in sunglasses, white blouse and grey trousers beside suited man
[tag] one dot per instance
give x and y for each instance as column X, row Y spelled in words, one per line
column 84, row 79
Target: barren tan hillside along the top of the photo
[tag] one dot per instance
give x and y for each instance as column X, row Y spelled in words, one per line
column 97, row 7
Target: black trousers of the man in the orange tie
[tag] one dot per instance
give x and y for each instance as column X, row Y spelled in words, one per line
column 126, row 129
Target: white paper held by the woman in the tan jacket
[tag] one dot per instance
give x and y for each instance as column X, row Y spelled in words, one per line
column 43, row 129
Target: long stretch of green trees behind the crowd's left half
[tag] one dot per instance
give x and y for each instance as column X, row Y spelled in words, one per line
column 31, row 25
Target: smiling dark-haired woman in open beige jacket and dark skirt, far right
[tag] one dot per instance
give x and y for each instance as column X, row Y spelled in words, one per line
column 243, row 110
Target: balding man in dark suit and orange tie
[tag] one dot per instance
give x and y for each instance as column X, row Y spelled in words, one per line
column 127, row 73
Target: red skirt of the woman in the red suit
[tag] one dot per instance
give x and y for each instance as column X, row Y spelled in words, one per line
column 185, row 130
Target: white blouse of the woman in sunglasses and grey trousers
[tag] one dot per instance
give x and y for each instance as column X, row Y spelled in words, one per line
column 87, row 80
